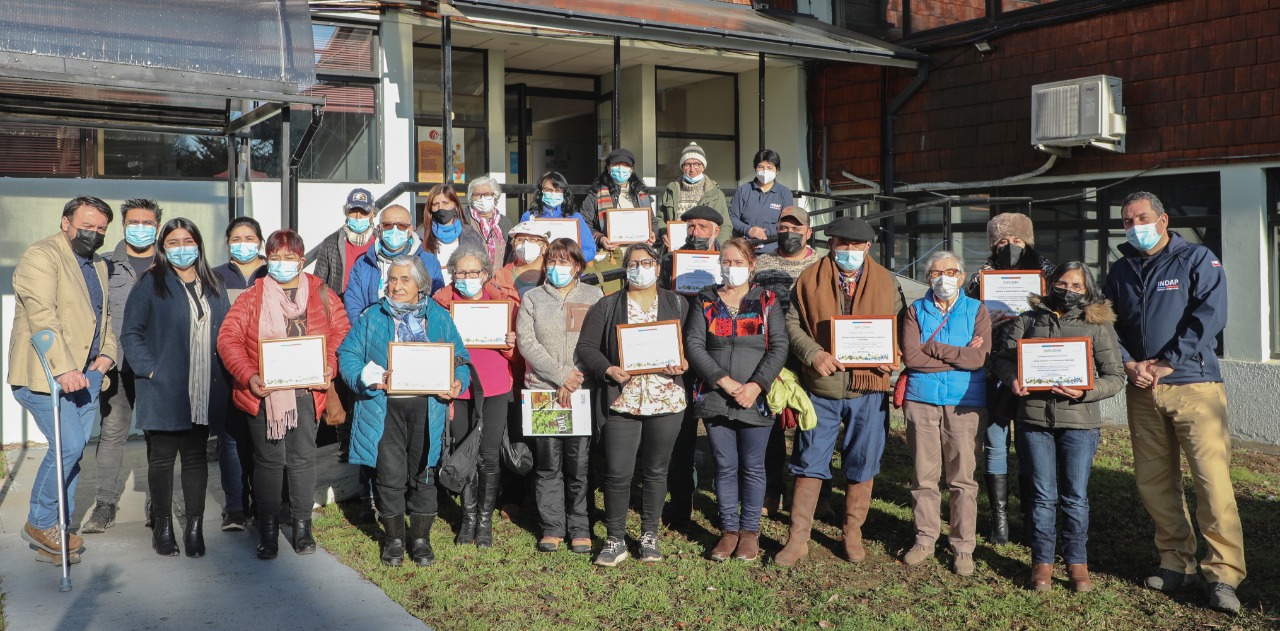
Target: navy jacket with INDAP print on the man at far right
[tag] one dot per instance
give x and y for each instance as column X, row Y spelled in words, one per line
column 1171, row 307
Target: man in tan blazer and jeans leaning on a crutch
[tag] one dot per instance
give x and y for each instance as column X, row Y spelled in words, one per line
column 61, row 286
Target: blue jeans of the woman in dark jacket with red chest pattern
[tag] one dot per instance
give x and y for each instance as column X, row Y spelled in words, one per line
column 739, row 451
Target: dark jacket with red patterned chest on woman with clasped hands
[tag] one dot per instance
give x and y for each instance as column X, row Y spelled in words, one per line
column 748, row 349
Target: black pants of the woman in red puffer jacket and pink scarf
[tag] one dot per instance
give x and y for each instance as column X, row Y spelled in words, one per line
column 294, row 456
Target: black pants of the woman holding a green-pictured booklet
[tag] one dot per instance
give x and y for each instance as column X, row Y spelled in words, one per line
column 560, row 487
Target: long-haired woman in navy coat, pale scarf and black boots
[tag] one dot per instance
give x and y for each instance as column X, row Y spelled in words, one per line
column 172, row 324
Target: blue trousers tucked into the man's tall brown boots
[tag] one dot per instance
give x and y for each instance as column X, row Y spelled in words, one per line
column 866, row 422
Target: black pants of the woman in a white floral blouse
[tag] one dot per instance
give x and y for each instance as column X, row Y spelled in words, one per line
column 629, row 438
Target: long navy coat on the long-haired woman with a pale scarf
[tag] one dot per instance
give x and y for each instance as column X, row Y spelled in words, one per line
column 158, row 335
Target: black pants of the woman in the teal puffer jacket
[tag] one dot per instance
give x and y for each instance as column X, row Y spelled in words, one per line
column 404, row 481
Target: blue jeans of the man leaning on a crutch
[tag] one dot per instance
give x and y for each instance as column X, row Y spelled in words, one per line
column 79, row 413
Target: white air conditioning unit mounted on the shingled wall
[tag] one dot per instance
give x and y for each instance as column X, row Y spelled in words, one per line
column 1078, row 113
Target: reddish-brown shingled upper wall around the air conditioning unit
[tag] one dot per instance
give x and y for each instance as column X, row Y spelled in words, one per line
column 1201, row 80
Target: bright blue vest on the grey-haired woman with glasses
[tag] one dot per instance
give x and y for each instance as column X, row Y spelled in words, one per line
column 957, row 387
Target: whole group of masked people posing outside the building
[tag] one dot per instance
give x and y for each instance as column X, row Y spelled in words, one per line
column 758, row 358
